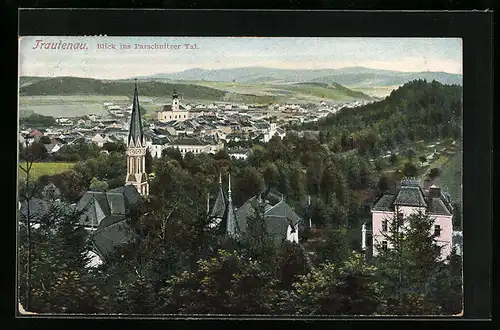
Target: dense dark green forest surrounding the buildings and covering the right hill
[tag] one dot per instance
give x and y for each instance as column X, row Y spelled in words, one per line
column 179, row 265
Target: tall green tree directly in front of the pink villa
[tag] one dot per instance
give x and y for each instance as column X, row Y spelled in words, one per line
column 408, row 268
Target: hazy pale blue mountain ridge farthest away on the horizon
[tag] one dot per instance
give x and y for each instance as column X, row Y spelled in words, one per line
column 352, row 76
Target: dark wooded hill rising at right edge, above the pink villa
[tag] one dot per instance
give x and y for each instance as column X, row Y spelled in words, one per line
column 418, row 110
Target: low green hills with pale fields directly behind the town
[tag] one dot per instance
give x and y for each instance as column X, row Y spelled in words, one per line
column 236, row 92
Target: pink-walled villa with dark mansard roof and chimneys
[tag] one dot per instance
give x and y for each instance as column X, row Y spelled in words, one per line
column 410, row 198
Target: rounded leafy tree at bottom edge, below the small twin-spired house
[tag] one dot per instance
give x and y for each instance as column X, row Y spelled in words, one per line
column 228, row 283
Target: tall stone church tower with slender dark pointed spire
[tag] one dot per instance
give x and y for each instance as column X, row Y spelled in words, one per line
column 136, row 150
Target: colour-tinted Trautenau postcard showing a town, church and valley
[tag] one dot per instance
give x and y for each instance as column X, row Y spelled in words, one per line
column 240, row 176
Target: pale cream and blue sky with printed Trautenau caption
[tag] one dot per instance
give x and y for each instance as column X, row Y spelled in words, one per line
column 399, row 54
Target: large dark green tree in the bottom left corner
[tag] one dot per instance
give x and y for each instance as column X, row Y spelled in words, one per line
column 61, row 281
